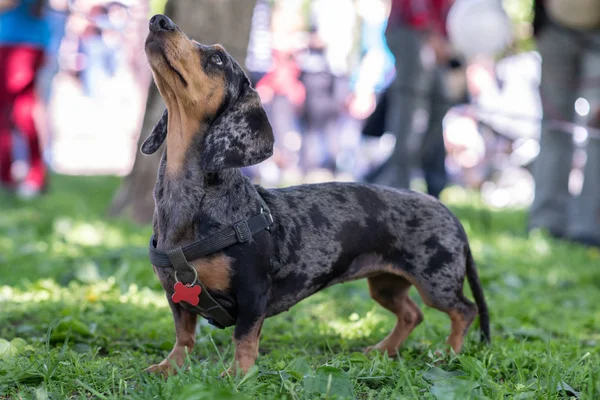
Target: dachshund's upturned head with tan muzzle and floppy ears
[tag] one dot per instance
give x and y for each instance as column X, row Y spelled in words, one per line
column 209, row 93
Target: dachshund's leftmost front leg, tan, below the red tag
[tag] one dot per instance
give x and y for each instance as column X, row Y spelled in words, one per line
column 185, row 338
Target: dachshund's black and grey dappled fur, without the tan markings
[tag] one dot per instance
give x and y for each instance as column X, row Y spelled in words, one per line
column 323, row 233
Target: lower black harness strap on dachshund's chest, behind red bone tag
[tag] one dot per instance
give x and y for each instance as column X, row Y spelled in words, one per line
column 208, row 307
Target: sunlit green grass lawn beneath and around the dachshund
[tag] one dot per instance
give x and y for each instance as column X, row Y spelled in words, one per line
column 82, row 314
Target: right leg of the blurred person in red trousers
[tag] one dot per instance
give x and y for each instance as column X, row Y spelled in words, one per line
column 28, row 61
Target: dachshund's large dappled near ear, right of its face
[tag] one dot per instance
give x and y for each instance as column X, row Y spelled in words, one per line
column 241, row 136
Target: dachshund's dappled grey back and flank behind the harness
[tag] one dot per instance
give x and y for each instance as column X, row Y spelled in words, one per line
column 333, row 232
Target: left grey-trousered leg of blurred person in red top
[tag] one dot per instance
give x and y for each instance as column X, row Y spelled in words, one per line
column 403, row 93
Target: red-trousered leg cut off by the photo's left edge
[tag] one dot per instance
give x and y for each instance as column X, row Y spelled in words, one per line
column 5, row 123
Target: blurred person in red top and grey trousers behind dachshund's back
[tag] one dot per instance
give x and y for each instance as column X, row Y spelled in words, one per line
column 416, row 35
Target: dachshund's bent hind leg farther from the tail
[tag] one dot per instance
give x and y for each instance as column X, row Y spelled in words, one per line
column 391, row 291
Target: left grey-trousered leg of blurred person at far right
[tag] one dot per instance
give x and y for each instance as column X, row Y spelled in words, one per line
column 551, row 169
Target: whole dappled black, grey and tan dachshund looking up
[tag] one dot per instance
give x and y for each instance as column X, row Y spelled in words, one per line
column 321, row 234
